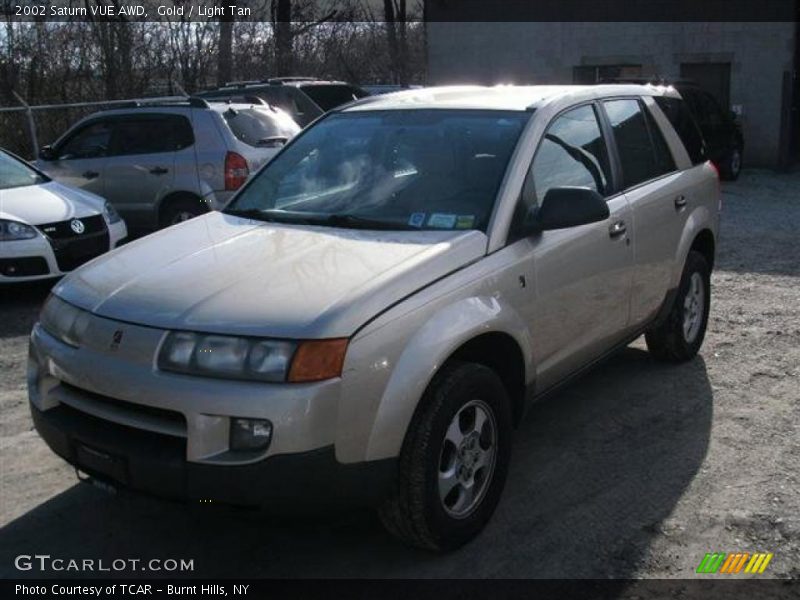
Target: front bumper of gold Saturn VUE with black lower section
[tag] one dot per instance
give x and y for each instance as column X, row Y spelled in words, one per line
column 110, row 412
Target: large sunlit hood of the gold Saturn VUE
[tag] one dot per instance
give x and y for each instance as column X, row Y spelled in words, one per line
column 224, row 274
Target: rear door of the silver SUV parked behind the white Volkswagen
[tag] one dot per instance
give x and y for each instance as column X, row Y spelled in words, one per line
column 141, row 167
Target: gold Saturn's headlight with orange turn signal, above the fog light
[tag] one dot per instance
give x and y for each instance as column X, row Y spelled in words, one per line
column 251, row 358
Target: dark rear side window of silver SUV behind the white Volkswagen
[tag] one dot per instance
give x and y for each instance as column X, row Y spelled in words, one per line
column 151, row 134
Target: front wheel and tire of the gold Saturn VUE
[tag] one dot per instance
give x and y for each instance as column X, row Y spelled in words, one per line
column 414, row 511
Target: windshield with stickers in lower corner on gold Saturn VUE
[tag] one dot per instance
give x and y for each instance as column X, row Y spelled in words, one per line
column 394, row 169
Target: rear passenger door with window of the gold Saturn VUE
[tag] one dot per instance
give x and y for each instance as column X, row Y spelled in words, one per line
column 658, row 197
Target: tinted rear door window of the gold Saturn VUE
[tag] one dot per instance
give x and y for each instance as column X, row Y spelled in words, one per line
column 637, row 151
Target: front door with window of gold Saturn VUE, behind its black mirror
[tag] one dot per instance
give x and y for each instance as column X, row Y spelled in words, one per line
column 582, row 274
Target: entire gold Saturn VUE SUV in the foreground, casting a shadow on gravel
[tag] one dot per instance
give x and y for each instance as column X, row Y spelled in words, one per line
column 368, row 319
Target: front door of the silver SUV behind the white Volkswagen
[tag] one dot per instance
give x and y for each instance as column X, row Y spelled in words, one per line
column 80, row 157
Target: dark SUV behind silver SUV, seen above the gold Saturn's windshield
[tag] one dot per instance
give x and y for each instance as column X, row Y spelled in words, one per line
column 304, row 98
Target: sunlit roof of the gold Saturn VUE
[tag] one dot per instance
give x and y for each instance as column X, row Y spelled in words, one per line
column 499, row 97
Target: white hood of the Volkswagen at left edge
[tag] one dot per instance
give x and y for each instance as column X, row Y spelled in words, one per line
column 48, row 203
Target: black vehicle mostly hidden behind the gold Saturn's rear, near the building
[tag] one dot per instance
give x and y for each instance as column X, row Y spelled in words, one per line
column 720, row 127
